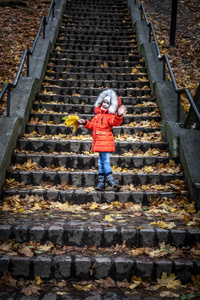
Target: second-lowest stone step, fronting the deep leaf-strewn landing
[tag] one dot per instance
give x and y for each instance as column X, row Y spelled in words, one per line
column 65, row 230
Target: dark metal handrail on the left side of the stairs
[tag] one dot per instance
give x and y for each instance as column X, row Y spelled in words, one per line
column 8, row 86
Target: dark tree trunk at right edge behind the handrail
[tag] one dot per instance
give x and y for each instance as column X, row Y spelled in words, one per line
column 191, row 121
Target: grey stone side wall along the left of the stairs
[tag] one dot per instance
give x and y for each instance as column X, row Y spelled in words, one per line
column 23, row 95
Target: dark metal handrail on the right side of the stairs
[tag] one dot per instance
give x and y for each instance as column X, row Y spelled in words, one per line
column 165, row 60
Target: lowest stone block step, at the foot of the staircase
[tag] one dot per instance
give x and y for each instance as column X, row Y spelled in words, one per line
column 89, row 267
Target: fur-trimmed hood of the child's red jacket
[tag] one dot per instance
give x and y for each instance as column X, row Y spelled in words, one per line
column 115, row 101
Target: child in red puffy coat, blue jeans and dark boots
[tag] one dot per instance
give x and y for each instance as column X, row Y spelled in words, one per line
column 109, row 113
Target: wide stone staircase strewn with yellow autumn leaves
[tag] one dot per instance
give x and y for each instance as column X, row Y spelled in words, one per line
column 57, row 226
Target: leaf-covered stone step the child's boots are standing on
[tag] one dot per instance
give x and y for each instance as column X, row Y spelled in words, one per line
column 81, row 196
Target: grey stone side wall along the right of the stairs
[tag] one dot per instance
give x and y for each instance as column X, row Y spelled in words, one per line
column 167, row 102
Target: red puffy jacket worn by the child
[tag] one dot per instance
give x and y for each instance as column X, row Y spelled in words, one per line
column 101, row 124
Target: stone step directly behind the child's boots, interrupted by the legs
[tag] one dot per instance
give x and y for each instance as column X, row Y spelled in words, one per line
column 89, row 177
